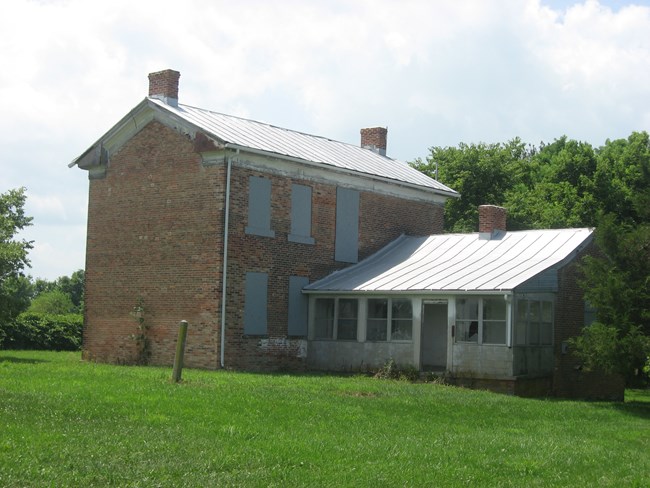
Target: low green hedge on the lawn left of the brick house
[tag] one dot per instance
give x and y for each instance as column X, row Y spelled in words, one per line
column 43, row 331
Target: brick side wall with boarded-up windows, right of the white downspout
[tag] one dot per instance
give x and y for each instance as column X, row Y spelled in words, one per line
column 382, row 219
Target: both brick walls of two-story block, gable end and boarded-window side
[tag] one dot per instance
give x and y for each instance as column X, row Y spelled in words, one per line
column 155, row 231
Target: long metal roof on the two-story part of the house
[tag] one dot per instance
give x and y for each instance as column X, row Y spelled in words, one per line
column 274, row 140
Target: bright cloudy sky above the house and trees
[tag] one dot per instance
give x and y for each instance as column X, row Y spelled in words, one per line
column 436, row 73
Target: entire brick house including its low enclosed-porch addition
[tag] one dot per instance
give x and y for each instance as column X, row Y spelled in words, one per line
column 285, row 250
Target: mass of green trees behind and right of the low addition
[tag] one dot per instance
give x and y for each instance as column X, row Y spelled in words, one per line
column 566, row 184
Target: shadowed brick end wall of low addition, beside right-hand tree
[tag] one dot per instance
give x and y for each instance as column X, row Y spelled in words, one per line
column 569, row 380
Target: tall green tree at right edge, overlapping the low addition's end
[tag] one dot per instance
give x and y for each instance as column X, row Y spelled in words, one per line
column 618, row 282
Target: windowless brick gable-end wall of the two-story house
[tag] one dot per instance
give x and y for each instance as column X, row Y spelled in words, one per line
column 154, row 232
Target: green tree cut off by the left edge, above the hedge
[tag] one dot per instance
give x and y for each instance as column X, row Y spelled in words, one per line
column 13, row 251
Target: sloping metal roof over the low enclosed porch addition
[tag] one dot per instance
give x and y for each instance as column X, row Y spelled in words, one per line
column 457, row 262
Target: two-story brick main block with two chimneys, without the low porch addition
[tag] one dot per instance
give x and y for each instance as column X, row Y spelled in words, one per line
column 222, row 221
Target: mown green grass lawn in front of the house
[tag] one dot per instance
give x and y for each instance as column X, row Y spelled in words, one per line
column 64, row 422
